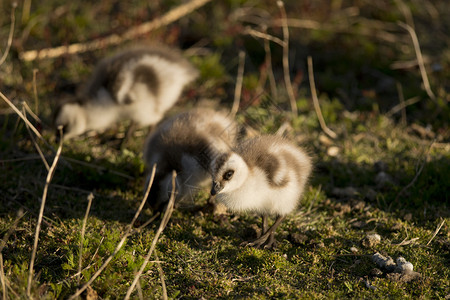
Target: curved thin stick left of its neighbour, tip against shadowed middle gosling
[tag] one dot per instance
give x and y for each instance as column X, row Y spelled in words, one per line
column 121, row 242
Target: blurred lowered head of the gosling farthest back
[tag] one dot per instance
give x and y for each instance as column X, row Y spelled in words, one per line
column 71, row 117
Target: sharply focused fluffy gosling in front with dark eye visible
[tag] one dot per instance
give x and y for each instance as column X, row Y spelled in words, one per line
column 266, row 175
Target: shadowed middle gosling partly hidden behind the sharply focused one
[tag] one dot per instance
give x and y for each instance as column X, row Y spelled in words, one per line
column 186, row 143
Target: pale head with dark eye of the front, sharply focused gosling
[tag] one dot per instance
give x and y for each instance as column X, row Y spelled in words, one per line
column 229, row 173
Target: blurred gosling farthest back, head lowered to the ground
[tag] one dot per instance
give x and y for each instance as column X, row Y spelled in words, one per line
column 138, row 84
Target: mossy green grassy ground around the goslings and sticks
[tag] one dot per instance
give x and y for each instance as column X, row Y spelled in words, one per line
column 387, row 172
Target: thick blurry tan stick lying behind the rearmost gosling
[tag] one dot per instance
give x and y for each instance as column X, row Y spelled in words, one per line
column 114, row 39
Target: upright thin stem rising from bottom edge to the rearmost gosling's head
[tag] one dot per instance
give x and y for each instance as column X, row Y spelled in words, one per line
column 41, row 213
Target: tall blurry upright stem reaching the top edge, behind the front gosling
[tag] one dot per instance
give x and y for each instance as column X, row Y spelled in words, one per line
column 287, row 76
